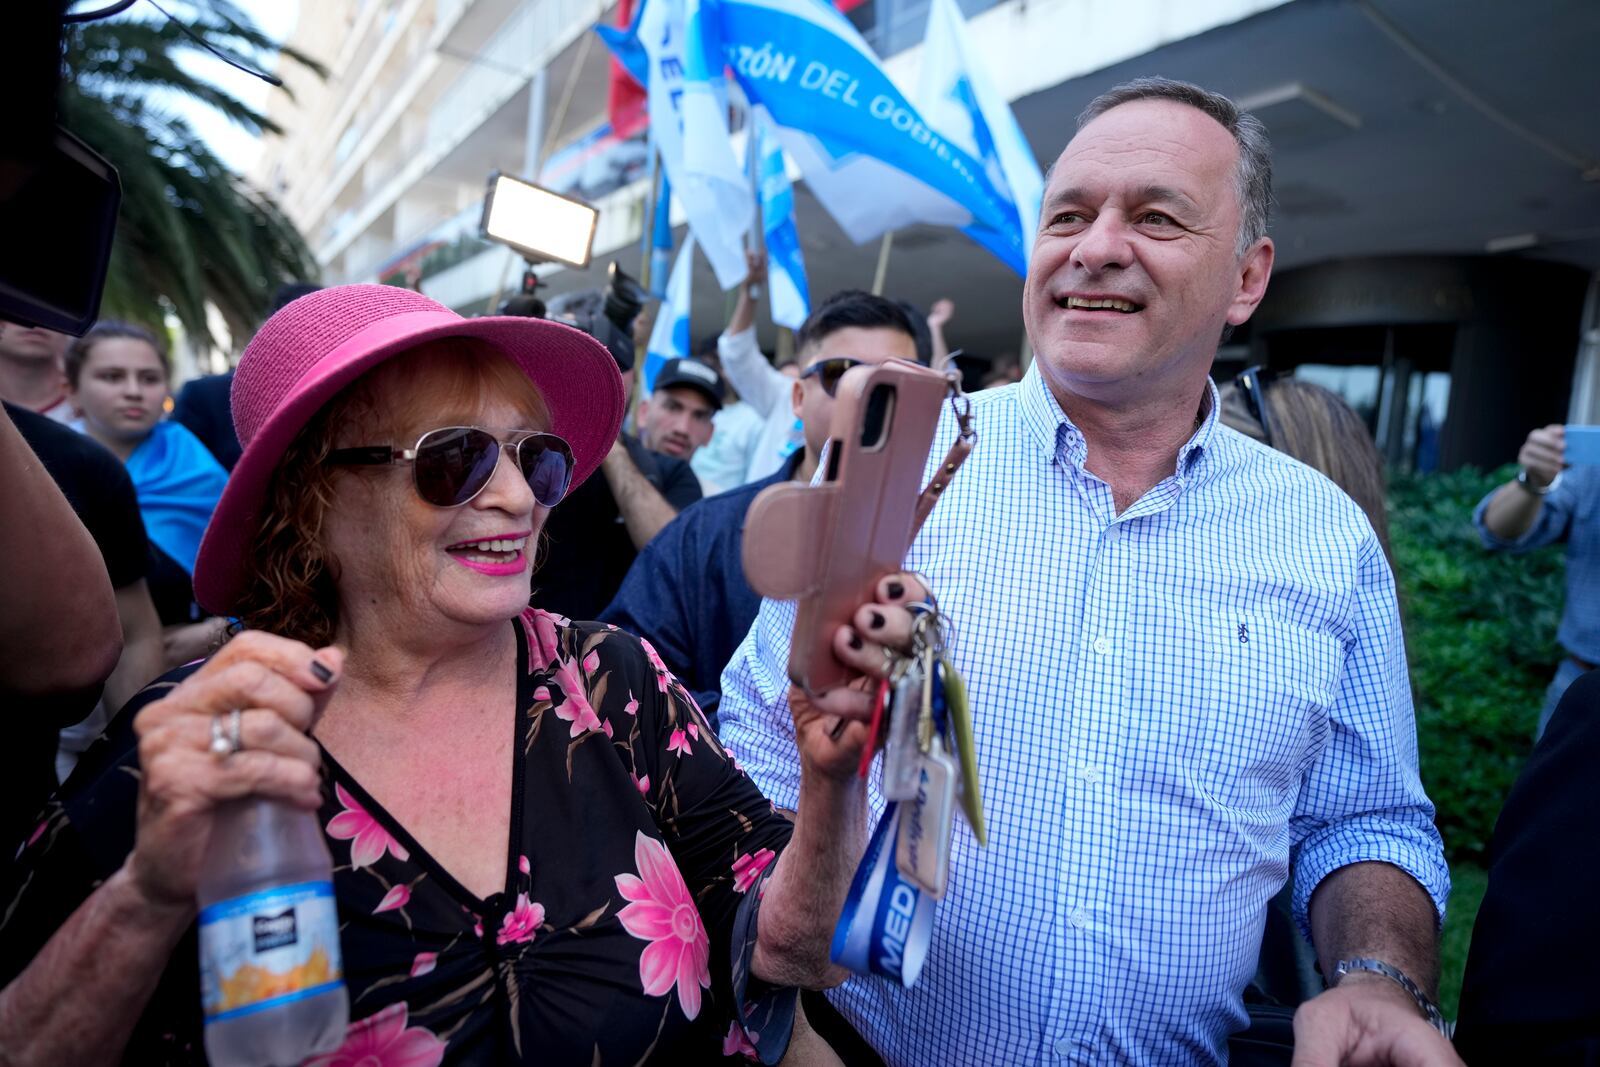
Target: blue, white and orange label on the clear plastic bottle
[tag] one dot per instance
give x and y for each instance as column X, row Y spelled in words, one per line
column 268, row 949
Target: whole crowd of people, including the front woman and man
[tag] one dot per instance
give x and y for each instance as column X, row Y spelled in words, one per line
column 495, row 631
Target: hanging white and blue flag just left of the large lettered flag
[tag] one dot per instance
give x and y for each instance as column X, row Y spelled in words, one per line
column 689, row 121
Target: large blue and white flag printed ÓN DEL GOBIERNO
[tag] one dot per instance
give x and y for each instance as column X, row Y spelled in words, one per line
column 870, row 156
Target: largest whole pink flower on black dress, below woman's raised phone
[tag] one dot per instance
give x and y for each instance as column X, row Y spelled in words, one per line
column 663, row 913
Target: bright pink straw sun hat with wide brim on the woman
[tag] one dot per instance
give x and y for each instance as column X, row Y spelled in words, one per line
column 324, row 342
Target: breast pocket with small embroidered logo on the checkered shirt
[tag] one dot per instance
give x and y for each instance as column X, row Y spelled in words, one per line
column 1268, row 689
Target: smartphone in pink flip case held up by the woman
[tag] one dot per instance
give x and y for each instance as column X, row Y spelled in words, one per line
column 830, row 545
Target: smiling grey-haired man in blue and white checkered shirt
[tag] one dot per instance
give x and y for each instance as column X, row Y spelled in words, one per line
column 1183, row 652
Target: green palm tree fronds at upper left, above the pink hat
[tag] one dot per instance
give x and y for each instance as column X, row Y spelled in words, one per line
column 191, row 231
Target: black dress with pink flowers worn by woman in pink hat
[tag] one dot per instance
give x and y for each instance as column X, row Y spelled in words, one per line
column 623, row 933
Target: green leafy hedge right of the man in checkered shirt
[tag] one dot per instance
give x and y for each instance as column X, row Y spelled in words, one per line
column 1481, row 634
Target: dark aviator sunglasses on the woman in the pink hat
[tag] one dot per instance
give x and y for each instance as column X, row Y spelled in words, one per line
column 452, row 465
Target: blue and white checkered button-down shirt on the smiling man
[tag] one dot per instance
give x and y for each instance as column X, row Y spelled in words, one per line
column 1172, row 706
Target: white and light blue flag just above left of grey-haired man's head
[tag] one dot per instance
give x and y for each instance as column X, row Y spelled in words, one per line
column 961, row 102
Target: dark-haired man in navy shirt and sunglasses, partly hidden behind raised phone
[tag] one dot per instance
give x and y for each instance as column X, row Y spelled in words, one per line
column 687, row 593
